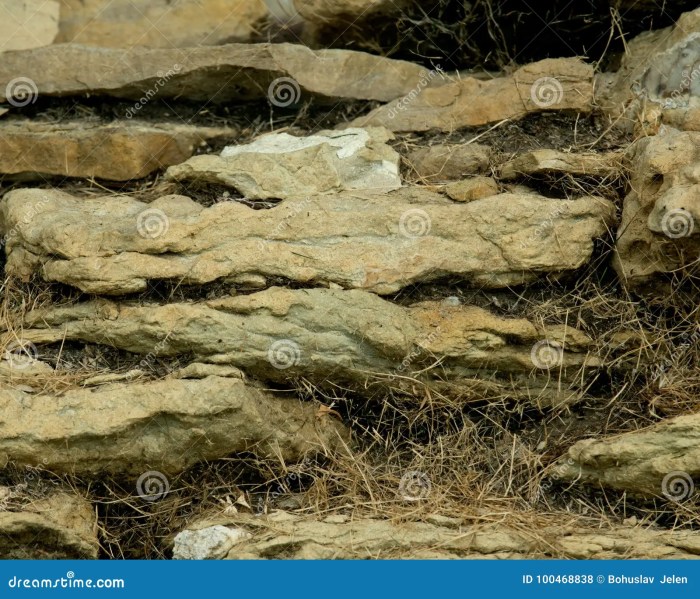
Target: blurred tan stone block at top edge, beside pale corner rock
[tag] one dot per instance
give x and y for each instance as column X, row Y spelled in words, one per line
column 159, row 23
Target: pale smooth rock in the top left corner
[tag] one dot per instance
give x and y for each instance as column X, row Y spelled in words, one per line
column 28, row 24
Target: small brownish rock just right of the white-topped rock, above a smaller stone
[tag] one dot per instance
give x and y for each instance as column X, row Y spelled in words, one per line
column 444, row 162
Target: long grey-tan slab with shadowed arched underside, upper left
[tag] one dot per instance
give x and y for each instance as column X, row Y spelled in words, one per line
column 216, row 74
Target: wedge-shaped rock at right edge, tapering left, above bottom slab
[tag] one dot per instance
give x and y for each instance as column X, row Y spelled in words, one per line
column 659, row 461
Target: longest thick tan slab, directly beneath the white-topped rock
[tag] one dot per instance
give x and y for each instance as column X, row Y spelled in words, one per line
column 357, row 240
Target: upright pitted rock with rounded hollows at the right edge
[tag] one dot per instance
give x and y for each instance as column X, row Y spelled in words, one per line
column 660, row 228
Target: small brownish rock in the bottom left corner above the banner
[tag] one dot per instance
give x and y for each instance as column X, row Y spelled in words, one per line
column 60, row 526
